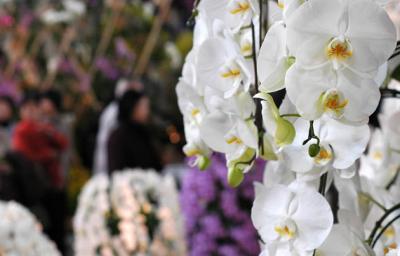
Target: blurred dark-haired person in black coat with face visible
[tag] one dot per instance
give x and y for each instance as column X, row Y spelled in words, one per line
column 130, row 144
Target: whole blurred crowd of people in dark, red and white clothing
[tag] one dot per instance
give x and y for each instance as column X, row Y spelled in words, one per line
column 41, row 143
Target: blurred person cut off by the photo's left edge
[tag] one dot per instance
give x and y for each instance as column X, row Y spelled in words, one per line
column 7, row 109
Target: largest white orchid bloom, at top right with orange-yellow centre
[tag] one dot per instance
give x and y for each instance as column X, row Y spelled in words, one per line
column 337, row 32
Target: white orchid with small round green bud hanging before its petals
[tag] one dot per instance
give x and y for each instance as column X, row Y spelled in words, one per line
column 340, row 146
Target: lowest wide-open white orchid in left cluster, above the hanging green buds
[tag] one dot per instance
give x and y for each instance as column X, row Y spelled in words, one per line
column 229, row 134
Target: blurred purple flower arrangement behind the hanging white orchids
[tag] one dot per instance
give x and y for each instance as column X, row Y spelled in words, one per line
column 216, row 215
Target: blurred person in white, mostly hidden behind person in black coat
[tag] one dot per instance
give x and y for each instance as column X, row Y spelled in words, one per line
column 108, row 122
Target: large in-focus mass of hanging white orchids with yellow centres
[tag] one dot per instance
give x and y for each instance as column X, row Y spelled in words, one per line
column 330, row 60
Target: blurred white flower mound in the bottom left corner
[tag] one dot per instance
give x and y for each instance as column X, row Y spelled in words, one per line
column 20, row 233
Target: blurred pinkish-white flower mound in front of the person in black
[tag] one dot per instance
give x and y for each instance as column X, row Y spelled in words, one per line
column 134, row 212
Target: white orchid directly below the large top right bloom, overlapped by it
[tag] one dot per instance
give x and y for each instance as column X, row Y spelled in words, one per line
column 341, row 94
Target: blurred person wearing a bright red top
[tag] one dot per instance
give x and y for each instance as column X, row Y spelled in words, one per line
column 44, row 145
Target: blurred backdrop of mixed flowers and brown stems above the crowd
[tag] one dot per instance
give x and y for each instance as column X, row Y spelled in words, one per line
column 86, row 45
